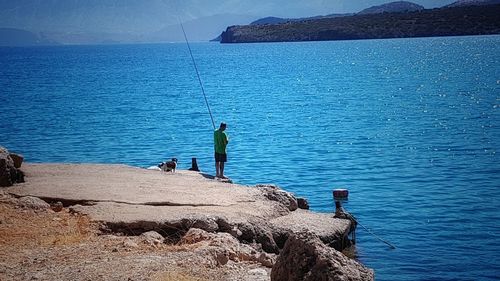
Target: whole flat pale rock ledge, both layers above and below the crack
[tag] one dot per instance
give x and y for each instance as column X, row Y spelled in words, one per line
column 120, row 194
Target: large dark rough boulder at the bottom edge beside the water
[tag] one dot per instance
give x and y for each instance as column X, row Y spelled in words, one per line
column 306, row 258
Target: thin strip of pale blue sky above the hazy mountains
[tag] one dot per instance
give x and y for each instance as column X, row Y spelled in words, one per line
column 197, row 8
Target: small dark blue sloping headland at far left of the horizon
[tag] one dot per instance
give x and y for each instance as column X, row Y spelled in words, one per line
column 19, row 37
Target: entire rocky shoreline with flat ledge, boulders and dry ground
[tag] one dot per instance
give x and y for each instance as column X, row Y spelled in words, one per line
column 171, row 223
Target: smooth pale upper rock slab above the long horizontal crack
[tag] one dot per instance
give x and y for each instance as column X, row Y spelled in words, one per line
column 120, row 183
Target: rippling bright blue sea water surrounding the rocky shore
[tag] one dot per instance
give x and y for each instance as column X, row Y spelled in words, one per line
column 409, row 126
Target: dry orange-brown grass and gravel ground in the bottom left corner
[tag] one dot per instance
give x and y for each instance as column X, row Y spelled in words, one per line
column 48, row 245
